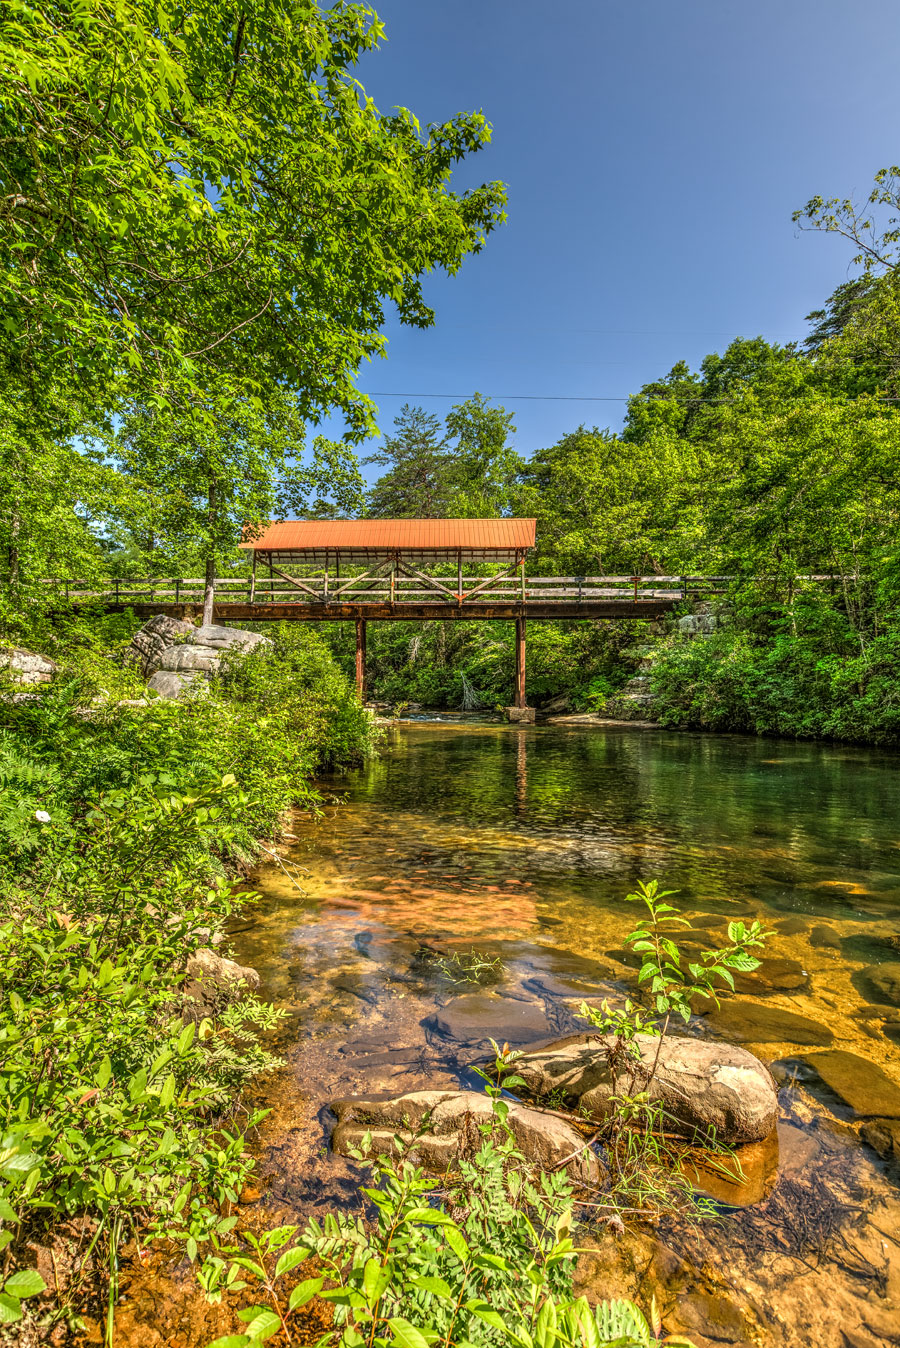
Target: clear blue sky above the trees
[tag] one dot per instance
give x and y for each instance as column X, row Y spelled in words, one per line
column 654, row 153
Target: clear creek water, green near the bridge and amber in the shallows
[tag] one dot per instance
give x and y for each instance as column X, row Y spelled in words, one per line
column 523, row 843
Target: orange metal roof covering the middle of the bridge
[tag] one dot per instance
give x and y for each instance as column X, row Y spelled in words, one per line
column 389, row 536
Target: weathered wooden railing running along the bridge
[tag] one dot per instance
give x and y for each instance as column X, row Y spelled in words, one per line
column 395, row 588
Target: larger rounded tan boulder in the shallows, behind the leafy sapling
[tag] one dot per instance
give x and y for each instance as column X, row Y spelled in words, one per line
column 707, row 1090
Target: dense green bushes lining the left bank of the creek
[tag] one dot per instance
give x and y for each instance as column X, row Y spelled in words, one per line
column 118, row 830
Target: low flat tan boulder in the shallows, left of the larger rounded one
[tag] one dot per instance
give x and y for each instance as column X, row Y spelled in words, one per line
column 441, row 1125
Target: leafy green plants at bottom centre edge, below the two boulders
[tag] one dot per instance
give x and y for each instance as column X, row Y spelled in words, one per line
column 487, row 1260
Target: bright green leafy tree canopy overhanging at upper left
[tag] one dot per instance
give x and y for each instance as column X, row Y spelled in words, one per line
column 207, row 197
